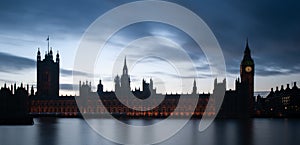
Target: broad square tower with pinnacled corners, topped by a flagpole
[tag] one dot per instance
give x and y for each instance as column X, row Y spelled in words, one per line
column 47, row 75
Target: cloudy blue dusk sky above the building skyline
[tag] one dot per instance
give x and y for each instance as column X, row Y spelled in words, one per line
column 271, row 26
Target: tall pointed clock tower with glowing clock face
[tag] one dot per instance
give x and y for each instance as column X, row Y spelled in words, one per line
column 247, row 78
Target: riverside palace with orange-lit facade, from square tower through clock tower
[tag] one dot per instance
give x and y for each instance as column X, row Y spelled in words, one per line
column 237, row 103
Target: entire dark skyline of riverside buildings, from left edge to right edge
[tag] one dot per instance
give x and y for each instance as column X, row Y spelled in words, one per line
column 22, row 102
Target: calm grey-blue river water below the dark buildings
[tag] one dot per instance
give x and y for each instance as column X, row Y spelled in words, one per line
column 221, row 132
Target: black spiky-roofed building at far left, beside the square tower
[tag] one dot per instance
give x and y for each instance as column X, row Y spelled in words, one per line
column 14, row 104
